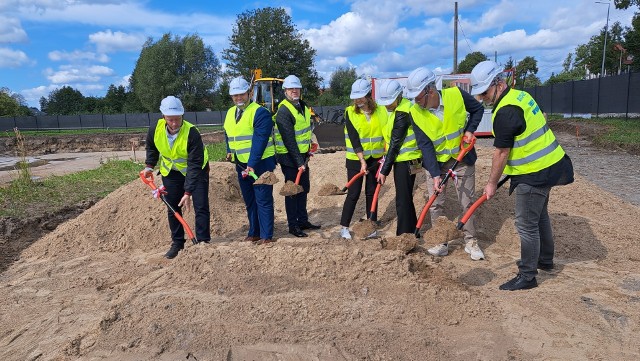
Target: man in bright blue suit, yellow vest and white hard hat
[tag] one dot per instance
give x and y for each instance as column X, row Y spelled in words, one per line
column 248, row 131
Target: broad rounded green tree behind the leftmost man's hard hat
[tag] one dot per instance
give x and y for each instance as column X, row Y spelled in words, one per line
column 183, row 67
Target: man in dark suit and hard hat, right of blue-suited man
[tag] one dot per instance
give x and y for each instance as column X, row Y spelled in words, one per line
column 293, row 142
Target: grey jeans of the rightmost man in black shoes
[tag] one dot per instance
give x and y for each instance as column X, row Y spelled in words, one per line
column 534, row 227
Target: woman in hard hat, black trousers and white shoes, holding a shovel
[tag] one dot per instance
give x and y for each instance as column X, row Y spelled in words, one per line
column 364, row 123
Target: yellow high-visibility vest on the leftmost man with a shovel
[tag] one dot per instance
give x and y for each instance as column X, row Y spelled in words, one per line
column 174, row 158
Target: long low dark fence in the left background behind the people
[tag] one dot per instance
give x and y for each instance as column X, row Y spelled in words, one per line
column 331, row 114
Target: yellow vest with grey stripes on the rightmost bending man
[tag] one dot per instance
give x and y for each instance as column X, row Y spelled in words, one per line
column 536, row 148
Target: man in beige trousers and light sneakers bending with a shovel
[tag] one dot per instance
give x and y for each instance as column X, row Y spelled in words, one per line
column 440, row 123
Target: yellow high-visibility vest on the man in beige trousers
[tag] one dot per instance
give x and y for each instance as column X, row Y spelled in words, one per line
column 446, row 134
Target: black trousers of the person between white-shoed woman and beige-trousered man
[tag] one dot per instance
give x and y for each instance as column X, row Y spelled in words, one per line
column 405, row 208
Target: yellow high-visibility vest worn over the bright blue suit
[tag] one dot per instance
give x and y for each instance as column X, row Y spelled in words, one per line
column 240, row 134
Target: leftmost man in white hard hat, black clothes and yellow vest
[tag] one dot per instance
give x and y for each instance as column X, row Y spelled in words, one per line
column 183, row 161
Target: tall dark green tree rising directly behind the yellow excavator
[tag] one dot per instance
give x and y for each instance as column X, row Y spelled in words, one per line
column 267, row 39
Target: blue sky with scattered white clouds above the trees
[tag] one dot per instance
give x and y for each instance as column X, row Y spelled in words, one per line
column 90, row 44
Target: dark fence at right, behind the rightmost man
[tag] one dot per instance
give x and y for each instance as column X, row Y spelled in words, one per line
column 617, row 95
